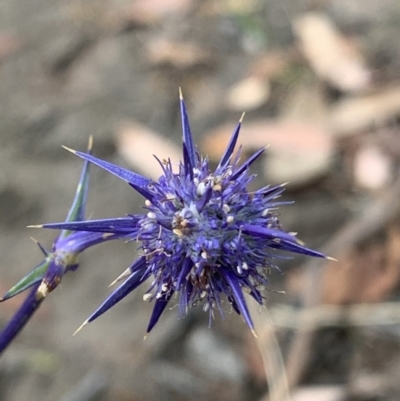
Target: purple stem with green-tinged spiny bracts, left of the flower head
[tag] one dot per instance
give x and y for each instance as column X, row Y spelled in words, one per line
column 63, row 257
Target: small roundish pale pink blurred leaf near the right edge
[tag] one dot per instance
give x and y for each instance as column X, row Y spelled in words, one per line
column 372, row 167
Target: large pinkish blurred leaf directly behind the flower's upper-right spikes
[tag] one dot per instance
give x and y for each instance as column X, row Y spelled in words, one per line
column 298, row 152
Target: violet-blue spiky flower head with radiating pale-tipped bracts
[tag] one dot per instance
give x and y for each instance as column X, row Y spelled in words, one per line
column 204, row 237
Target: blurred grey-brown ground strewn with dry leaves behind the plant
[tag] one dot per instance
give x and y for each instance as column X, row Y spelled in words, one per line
column 320, row 82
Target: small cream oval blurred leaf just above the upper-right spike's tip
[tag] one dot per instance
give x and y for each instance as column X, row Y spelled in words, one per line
column 248, row 94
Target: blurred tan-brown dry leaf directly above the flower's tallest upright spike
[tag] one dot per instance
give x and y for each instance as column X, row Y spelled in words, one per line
column 178, row 54
